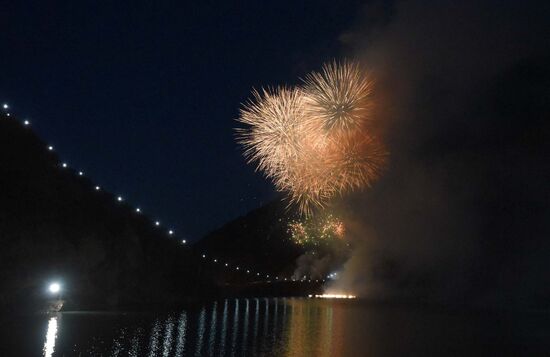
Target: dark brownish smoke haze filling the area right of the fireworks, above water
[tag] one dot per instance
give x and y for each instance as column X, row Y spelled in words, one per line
column 461, row 213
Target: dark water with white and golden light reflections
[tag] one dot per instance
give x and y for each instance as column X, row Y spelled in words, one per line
column 282, row 327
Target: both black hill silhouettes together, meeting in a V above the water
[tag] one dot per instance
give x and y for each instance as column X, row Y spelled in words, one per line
column 55, row 225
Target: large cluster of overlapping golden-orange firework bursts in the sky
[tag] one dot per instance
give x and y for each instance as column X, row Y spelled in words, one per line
column 313, row 141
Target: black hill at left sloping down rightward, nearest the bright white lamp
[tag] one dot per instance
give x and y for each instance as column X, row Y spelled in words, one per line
column 54, row 224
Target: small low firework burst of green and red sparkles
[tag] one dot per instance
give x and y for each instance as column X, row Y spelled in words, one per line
column 312, row 232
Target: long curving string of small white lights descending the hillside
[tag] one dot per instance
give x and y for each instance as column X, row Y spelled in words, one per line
column 205, row 258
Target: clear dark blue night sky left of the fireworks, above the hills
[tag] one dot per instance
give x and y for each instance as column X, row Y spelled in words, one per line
column 143, row 97
